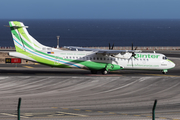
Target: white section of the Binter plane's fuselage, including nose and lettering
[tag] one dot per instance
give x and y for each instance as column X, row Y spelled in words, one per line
column 153, row 61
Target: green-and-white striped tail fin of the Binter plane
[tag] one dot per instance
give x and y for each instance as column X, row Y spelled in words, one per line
column 23, row 41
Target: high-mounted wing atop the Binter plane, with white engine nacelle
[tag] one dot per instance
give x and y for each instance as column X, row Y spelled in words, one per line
column 114, row 53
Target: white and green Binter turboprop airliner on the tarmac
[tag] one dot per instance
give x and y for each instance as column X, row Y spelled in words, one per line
column 84, row 58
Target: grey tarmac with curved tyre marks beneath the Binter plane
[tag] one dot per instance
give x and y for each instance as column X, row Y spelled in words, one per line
column 53, row 93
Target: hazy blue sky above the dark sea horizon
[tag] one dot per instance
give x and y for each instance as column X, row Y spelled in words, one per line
column 90, row 9
